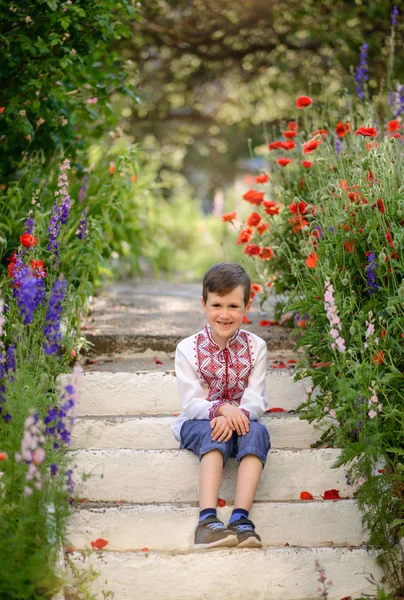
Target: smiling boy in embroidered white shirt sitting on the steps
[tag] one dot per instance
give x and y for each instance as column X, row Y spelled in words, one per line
column 221, row 378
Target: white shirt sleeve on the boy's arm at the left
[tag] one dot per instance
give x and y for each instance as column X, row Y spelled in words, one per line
column 192, row 394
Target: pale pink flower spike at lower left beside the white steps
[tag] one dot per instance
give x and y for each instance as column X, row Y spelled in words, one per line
column 32, row 453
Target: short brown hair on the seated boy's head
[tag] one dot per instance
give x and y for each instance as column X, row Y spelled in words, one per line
column 222, row 278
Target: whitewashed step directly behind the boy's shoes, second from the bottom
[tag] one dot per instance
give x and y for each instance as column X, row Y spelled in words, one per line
column 171, row 527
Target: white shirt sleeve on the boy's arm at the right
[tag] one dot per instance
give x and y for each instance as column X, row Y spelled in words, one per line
column 254, row 399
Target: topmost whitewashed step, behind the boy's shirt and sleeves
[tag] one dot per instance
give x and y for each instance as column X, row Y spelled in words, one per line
column 104, row 393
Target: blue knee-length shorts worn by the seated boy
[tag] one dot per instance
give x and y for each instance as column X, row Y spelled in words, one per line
column 196, row 436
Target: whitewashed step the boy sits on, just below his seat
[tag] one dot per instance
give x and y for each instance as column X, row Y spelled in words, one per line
column 154, row 433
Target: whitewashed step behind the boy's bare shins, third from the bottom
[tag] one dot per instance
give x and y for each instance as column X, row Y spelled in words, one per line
column 145, row 476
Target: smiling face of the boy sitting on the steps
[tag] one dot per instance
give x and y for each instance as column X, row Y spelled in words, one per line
column 225, row 313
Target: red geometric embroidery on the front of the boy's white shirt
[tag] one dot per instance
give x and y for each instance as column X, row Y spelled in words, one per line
column 225, row 371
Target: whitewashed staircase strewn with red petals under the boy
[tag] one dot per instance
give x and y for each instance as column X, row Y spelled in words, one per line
column 142, row 496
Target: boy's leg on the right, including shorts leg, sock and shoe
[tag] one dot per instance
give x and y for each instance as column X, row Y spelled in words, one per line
column 252, row 452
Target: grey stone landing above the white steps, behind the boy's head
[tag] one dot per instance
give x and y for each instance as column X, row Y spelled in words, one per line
column 132, row 317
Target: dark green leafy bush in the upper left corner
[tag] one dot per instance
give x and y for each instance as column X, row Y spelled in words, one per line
column 54, row 93
